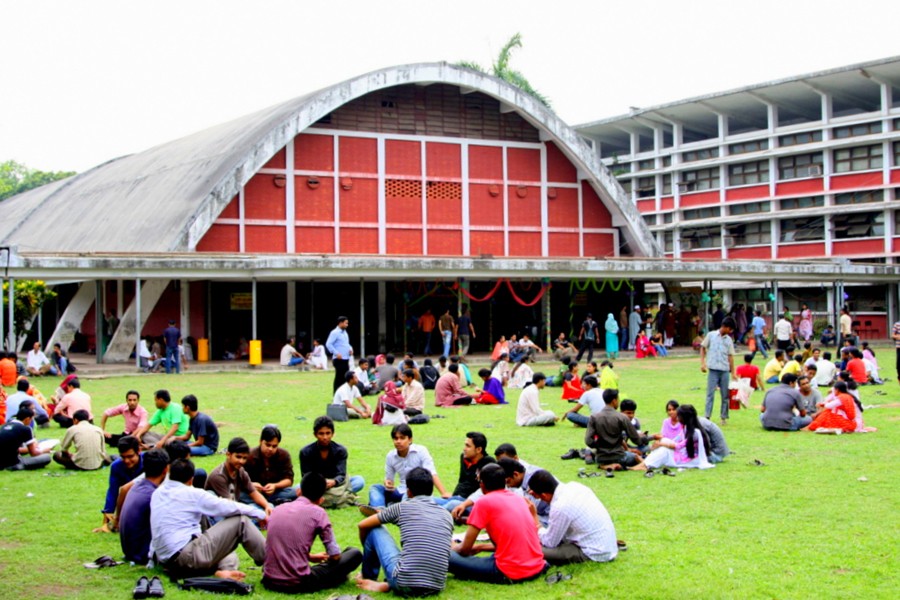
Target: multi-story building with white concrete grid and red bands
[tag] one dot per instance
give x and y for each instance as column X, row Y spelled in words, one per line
column 800, row 168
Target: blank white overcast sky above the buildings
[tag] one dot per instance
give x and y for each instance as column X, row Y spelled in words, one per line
column 87, row 81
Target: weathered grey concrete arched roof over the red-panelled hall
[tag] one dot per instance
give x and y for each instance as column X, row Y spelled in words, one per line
column 164, row 199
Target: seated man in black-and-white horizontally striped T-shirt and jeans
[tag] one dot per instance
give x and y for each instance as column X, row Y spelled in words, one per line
column 420, row 568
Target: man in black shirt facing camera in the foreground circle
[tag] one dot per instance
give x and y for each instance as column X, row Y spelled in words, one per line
column 329, row 459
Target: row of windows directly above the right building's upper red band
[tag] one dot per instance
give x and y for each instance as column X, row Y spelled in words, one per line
column 797, row 166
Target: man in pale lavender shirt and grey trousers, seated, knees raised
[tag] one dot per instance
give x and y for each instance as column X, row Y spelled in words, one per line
column 184, row 549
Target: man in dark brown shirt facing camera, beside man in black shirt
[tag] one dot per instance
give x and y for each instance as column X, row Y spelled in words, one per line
column 270, row 469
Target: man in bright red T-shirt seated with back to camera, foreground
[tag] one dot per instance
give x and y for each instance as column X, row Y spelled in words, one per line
column 508, row 518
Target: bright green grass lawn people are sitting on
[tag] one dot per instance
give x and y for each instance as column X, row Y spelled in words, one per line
column 804, row 525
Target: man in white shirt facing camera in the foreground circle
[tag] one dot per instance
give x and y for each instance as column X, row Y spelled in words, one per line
column 399, row 462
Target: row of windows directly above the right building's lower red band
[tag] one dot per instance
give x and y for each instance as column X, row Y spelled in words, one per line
column 806, row 229
